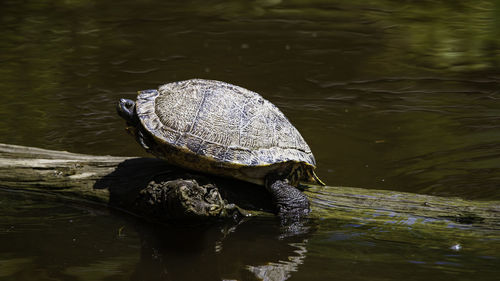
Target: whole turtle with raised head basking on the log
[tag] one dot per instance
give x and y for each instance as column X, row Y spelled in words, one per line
column 222, row 129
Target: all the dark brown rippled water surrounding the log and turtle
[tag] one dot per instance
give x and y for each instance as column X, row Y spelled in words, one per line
column 399, row 95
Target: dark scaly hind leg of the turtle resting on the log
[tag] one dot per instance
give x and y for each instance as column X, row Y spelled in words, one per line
column 290, row 202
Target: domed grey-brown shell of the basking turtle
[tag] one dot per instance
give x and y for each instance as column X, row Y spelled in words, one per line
column 202, row 124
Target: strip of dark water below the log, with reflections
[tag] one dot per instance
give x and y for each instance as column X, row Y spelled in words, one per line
column 41, row 239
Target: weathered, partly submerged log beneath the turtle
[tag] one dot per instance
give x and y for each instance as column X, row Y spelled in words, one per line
column 141, row 186
